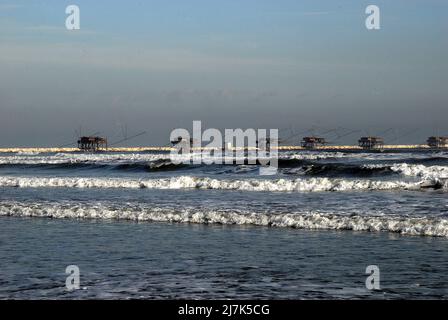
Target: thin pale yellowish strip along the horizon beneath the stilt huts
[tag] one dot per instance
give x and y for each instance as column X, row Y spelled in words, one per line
column 142, row 149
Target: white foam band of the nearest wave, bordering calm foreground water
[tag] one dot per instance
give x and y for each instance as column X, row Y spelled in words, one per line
column 422, row 226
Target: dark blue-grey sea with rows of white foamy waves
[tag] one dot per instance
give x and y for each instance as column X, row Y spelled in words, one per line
column 139, row 226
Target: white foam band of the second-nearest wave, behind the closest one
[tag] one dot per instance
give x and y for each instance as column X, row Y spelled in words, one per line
column 191, row 182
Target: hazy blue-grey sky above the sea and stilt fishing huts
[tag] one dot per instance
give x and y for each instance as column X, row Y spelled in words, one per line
column 158, row 65
